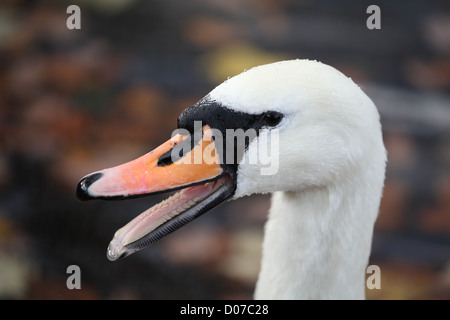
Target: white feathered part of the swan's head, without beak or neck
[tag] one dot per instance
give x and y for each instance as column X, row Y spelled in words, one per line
column 327, row 126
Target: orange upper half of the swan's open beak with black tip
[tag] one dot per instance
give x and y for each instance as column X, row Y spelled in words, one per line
column 155, row 171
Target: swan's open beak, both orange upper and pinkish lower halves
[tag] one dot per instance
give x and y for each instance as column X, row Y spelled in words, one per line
column 179, row 163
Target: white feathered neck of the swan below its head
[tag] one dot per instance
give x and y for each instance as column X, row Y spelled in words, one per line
column 325, row 247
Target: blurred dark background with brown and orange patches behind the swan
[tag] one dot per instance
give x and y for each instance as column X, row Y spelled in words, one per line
column 76, row 101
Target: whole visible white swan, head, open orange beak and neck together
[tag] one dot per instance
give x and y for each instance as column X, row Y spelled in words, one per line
column 326, row 188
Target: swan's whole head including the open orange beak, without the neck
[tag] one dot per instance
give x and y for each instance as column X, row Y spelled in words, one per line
column 285, row 126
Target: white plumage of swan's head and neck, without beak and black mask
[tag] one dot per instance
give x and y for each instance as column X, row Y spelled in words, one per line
column 328, row 187
